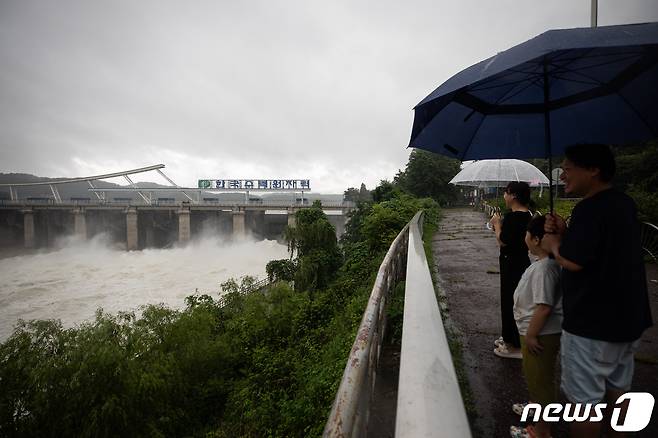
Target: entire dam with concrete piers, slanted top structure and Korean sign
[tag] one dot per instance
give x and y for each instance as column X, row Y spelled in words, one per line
column 153, row 217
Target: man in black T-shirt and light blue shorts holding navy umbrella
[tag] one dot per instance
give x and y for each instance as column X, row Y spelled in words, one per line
column 605, row 298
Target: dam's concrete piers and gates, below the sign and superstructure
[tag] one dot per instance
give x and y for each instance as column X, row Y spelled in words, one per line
column 38, row 223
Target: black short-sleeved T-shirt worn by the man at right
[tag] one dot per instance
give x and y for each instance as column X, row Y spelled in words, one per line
column 608, row 299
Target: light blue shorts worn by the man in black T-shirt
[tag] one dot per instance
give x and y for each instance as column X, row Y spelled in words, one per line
column 591, row 367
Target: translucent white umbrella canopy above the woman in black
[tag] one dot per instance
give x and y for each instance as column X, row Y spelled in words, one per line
column 497, row 173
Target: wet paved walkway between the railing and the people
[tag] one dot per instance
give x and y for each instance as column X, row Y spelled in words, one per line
column 466, row 258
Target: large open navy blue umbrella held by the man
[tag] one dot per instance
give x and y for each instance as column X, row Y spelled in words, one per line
column 589, row 85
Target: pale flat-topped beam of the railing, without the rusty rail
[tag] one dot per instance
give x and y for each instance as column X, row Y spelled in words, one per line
column 429, row 400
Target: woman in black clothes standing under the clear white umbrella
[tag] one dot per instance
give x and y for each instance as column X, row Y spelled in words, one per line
column 510, row 235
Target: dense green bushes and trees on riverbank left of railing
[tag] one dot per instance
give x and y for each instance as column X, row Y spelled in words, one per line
column 263, row 364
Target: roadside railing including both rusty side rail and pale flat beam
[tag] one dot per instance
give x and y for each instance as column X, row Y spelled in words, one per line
column 429, row 401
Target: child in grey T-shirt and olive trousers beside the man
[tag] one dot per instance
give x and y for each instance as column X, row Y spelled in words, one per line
column 538, row 315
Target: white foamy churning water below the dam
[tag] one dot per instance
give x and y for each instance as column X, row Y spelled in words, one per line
column 72, row 282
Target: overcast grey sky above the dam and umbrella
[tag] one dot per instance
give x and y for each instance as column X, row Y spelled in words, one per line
column 245, row 89
